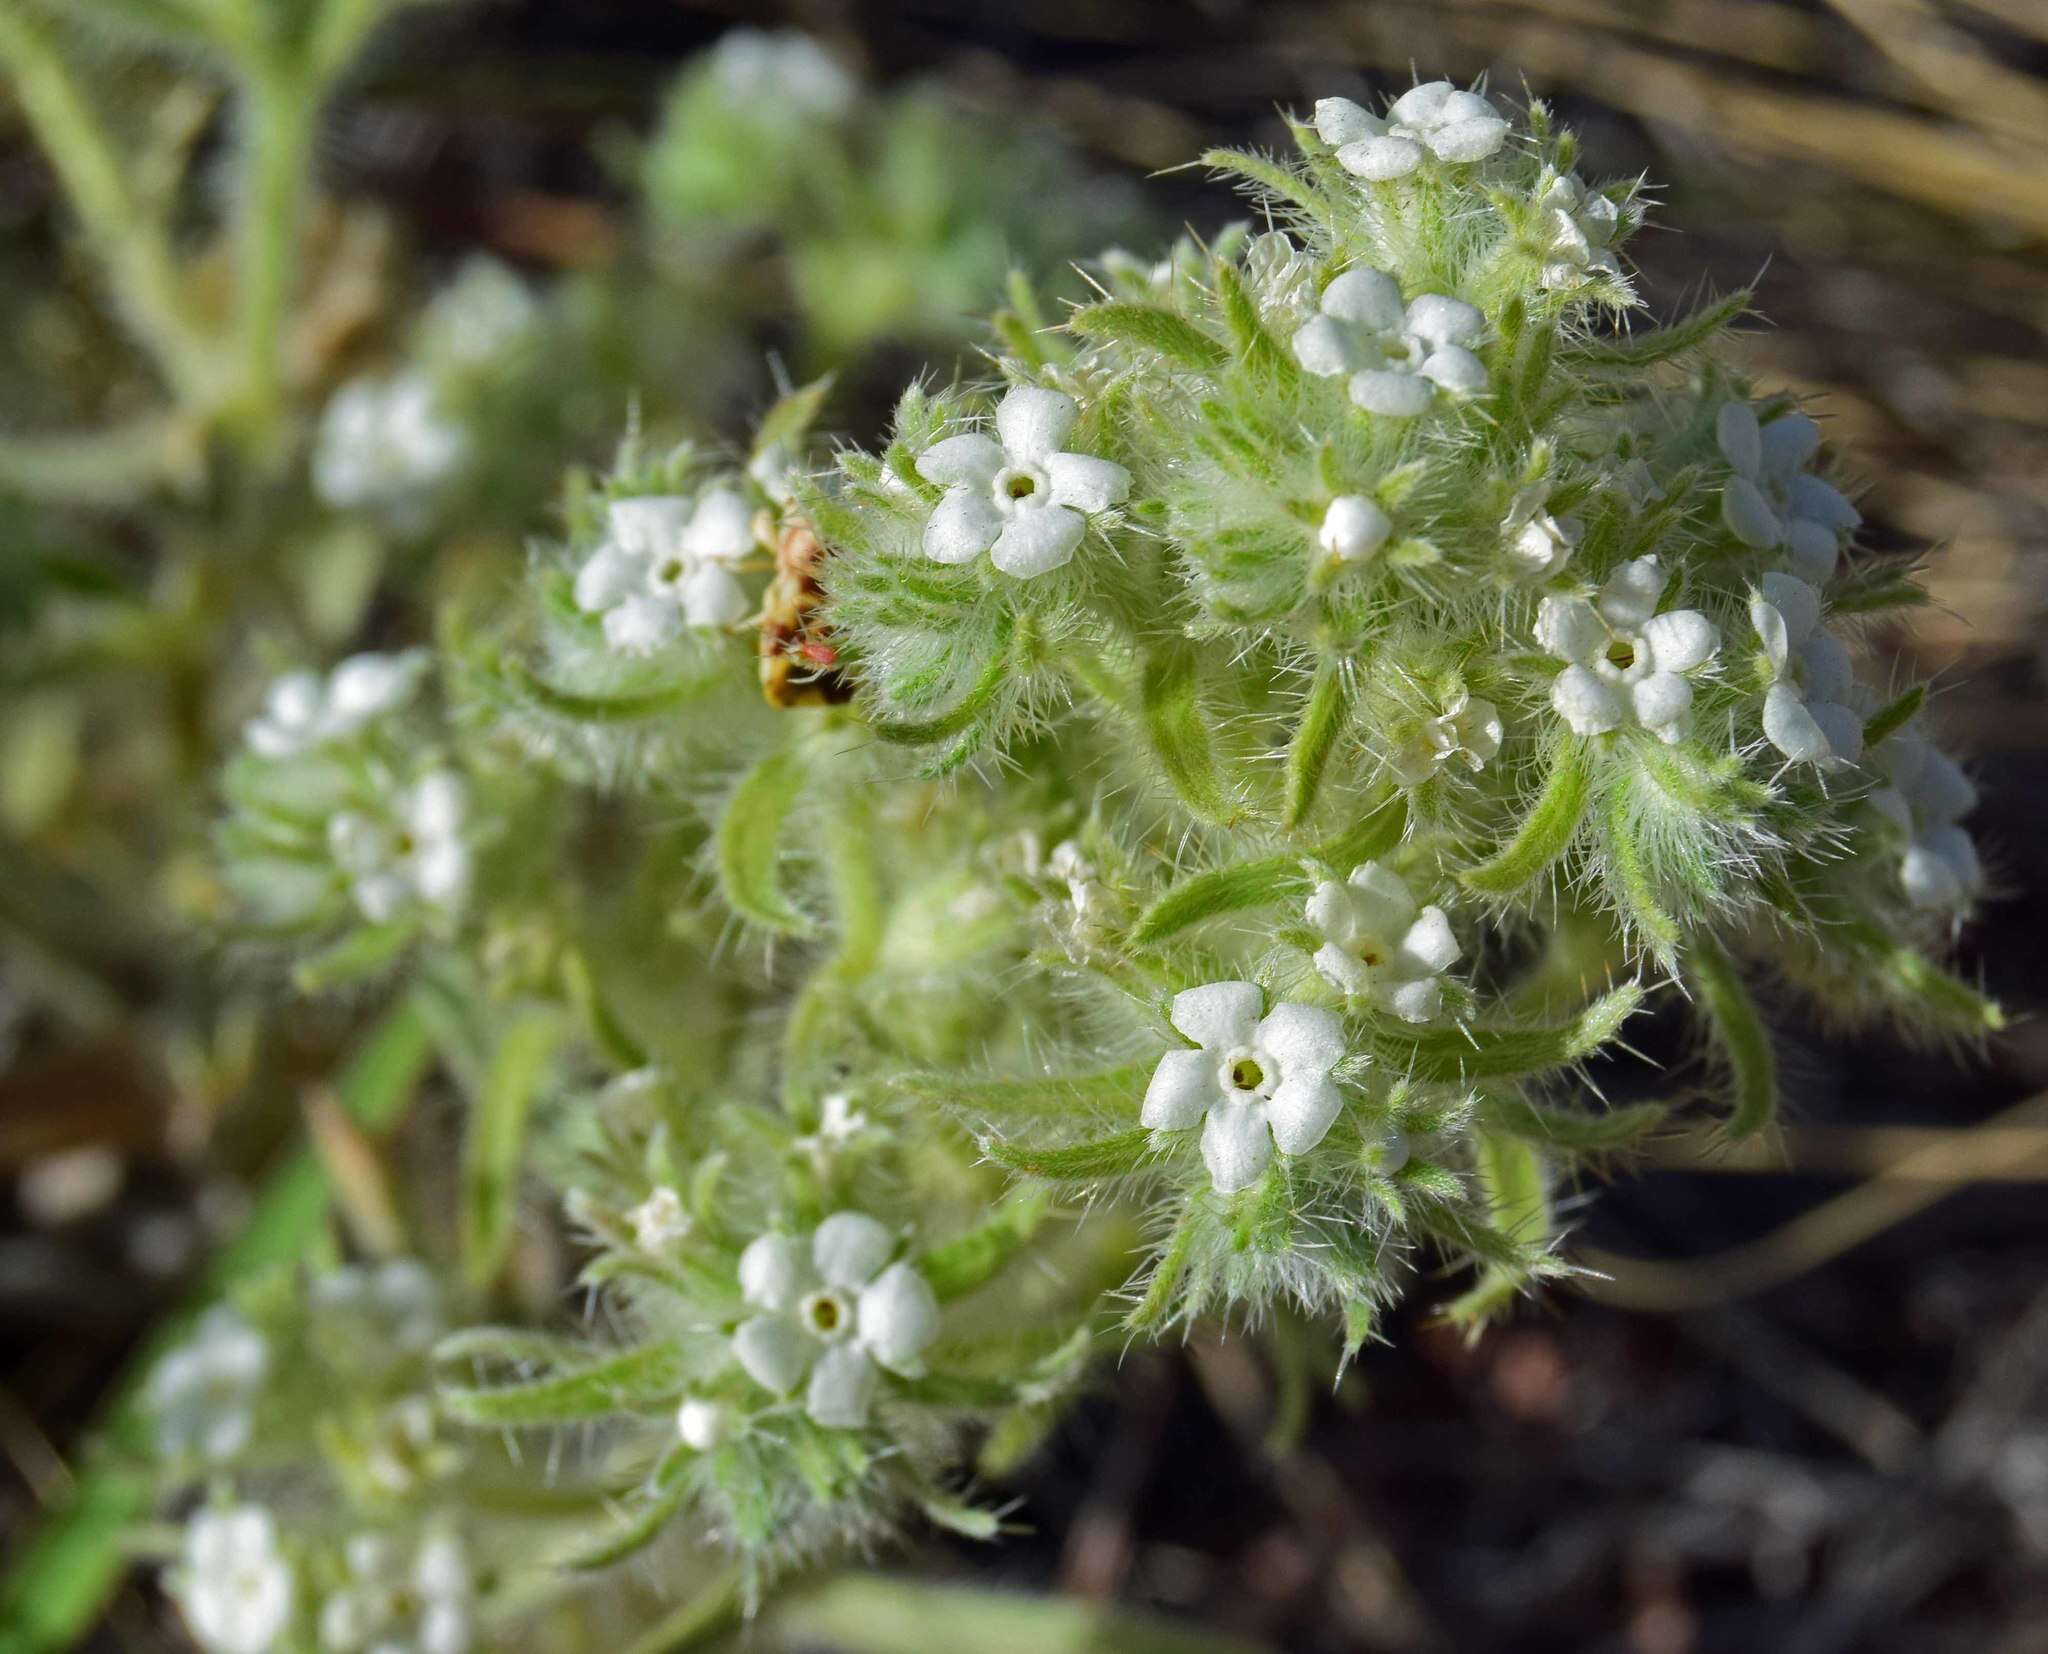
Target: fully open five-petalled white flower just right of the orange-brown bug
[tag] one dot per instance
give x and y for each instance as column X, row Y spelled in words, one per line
column 1015, row 494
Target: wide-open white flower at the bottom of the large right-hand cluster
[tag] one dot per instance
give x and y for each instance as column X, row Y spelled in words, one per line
column 1256, row 1082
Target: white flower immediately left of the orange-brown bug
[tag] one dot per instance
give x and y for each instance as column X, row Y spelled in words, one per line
column 665, row 566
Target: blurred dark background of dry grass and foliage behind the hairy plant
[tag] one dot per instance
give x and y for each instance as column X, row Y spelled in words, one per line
column 1805, row 1411
